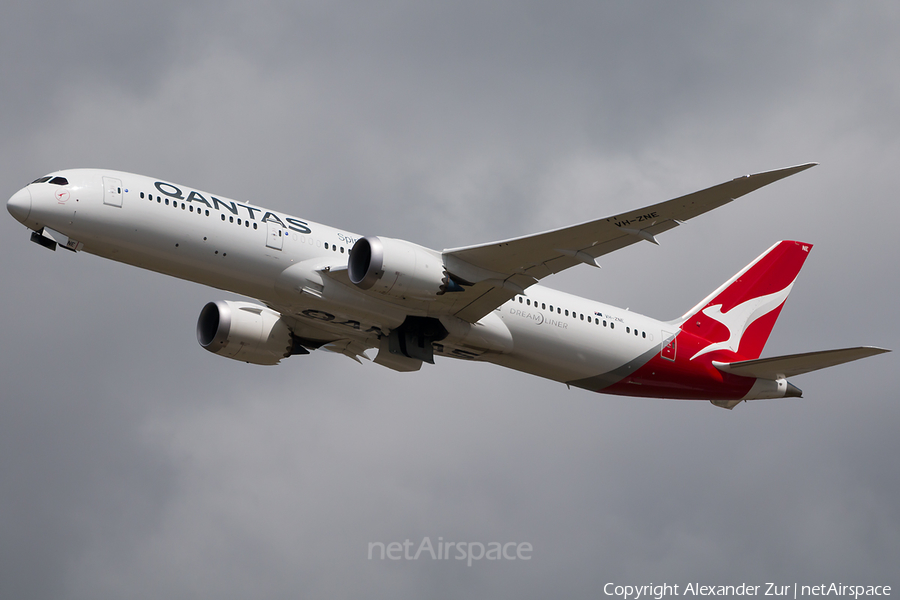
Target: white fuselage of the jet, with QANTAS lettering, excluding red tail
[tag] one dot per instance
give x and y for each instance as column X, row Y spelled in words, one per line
column 248, row 249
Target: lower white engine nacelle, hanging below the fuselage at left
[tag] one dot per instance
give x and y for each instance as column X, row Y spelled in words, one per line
column 244, row 331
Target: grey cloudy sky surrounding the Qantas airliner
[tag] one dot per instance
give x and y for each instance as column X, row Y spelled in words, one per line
column 135, row 465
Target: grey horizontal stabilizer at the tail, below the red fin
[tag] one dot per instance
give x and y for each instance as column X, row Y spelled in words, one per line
column 779, row 367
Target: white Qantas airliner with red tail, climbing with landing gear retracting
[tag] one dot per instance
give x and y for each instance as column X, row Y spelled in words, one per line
column 321, row 287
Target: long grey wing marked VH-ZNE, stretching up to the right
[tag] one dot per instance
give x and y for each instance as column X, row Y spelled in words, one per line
column 495, row 272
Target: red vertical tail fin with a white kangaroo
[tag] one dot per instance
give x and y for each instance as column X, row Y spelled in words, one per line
column 738, row 317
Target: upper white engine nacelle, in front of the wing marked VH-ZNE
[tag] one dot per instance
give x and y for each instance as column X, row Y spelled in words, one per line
column 398, row 268
